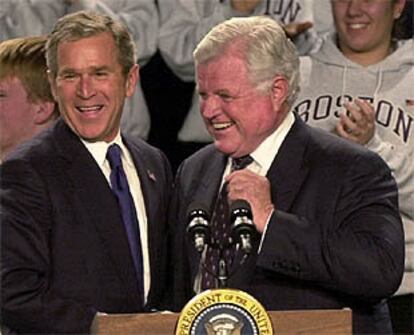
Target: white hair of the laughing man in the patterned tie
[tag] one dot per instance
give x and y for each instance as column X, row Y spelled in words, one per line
column 262, row 44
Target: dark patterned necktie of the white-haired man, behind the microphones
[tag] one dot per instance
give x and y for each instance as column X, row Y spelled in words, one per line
column 221, row 231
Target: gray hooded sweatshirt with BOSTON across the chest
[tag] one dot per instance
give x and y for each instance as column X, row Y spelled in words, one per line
column 328, row 75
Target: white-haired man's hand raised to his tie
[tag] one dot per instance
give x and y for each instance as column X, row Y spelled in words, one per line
column 255, row 189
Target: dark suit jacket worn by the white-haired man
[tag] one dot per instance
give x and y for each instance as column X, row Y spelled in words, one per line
column 335, row 239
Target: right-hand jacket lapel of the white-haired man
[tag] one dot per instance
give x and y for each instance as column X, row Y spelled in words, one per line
column 289, row 168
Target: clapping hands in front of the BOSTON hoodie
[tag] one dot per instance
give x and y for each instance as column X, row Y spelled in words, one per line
column 359, row 125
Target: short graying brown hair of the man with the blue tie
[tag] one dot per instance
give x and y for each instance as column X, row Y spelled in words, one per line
column 82, row 24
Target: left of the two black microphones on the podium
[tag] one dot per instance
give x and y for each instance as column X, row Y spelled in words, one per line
column 198, row 227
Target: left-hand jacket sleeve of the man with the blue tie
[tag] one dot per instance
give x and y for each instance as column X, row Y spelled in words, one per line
column 29, row 301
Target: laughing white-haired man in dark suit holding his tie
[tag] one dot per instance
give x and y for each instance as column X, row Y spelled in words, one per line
column 329, row 234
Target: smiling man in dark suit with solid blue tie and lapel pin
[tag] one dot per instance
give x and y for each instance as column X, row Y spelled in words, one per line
column 83, row 232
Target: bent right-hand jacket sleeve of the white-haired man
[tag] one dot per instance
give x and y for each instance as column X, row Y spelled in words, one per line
column 358, row 250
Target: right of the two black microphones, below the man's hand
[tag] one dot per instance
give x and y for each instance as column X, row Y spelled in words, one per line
column 242, row 227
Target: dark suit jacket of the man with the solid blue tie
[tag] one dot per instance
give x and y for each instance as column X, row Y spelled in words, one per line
column 65, row 252
